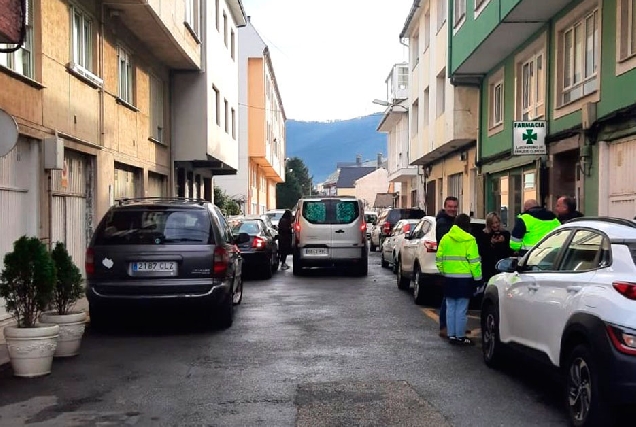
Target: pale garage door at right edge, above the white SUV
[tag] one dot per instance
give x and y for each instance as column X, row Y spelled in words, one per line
column 622, row 192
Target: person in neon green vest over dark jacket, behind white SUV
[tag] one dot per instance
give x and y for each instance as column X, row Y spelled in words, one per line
column 531, row 226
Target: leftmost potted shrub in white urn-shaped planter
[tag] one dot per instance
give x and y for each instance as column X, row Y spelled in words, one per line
column 26, row 283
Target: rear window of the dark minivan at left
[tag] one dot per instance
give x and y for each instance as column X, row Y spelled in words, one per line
column 154, row 226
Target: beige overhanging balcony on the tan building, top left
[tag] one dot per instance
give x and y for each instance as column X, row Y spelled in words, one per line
column 165, row 35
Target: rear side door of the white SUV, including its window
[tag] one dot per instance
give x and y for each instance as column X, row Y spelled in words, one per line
column 586, row 252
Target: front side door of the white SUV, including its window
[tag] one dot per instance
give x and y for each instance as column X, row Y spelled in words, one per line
column 523, row 287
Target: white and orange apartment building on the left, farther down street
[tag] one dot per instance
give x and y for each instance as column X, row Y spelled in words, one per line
column 261, row 134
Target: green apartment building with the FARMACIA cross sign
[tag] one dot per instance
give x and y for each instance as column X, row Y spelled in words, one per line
column 563, row 64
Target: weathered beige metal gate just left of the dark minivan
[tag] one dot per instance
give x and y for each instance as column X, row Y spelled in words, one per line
column 71, row 205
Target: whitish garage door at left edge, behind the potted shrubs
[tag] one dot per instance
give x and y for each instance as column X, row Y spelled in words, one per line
column 18, row 198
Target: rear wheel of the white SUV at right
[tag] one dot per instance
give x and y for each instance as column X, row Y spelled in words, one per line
column 586, row 406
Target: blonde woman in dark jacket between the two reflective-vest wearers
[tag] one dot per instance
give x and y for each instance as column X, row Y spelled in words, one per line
column 494, row 245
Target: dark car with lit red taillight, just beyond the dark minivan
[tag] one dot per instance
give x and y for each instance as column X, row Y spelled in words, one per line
column 260, row 252
